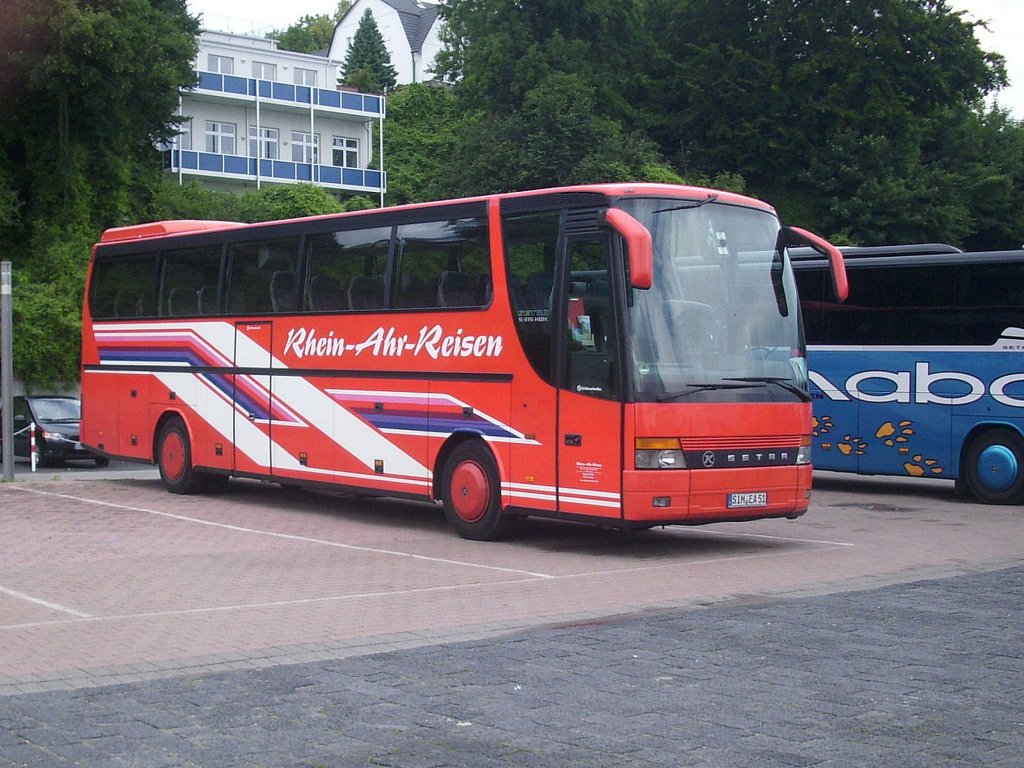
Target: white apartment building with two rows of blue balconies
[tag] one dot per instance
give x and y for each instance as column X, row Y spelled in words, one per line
column 260, row 115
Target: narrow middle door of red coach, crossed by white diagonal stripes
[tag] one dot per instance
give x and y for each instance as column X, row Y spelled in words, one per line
column 252, row 397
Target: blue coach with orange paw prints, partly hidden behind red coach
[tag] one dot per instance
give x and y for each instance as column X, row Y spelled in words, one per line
column 921, row 372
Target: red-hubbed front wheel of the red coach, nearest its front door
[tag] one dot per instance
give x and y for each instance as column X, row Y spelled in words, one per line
column 471, row 492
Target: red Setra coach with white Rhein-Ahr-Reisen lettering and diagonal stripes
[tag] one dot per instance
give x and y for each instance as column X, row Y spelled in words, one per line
column 623, row 355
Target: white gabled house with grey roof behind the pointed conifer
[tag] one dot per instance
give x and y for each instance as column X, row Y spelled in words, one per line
column 410, row 29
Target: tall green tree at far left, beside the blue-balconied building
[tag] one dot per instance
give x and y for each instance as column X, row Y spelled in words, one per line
column 89, row 88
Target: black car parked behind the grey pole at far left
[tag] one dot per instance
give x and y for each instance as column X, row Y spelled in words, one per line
column 57, row 430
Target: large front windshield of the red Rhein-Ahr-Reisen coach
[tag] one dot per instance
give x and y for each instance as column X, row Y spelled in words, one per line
column 721, row 323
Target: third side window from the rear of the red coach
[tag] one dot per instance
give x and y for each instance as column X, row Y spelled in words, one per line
column 252, row 268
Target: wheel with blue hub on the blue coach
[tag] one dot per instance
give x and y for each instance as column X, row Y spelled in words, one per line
column 994, row 467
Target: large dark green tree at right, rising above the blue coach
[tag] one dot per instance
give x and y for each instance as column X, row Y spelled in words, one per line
column 841, row 114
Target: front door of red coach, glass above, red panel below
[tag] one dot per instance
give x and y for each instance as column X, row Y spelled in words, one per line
column 589, row 420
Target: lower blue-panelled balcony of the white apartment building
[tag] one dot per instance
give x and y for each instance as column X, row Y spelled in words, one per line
column 250, row 172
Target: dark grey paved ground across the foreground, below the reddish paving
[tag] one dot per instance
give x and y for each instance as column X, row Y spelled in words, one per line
column 921, row 674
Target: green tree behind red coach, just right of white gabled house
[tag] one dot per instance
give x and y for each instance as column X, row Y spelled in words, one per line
column 547, row 97
